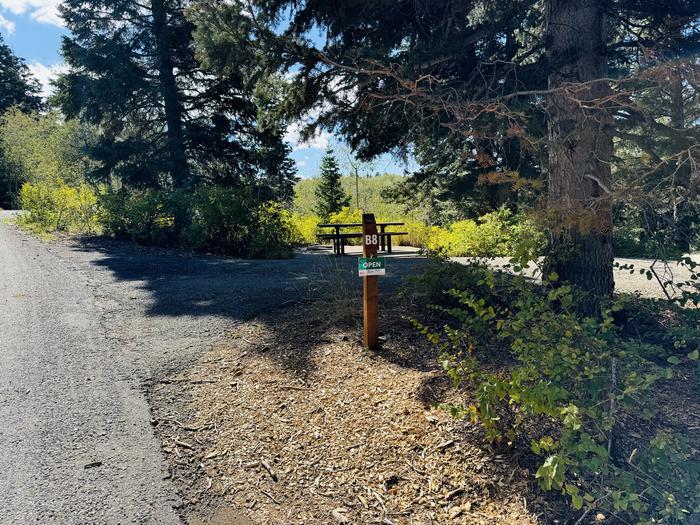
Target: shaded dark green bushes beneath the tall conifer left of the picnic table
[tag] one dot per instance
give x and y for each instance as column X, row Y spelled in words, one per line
column 209, row 219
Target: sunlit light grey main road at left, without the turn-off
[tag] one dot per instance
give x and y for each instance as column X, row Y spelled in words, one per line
column 76, row 444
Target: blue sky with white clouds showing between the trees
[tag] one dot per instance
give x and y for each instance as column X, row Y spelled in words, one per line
column 33, row 29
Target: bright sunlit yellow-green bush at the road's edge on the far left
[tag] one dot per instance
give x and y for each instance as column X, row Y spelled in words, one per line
column 56, row 206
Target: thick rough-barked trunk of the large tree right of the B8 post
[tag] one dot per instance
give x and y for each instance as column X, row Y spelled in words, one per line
column 580, row 151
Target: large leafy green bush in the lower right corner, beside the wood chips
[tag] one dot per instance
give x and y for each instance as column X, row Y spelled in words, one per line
column 576, row 390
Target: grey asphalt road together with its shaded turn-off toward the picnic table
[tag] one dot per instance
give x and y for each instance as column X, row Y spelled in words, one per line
column 85, row 328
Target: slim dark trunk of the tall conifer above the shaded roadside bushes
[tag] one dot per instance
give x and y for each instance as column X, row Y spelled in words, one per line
column 179, row 169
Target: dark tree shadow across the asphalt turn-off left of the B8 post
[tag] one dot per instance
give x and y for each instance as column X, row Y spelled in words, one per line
column 181, row 284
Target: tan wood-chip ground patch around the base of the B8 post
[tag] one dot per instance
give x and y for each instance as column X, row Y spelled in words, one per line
column 298, row 424
